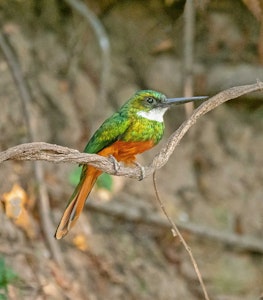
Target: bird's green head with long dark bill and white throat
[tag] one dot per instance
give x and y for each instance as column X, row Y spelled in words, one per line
column 152, row 105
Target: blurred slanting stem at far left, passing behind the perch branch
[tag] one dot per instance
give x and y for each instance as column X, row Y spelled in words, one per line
column 26, row 100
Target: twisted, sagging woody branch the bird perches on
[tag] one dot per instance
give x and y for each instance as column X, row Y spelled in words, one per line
column 57, row 154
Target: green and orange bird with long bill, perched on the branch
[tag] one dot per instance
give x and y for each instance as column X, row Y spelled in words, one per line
column 136, row 127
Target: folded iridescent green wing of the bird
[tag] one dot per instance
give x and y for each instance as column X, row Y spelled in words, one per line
column 109, row 132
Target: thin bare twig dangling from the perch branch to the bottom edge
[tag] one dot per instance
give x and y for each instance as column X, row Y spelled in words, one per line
column 176, row 232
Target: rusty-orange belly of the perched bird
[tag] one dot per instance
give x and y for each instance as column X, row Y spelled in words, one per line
column 126, row 151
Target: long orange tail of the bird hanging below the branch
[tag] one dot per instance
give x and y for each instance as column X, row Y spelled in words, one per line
column 77, row 201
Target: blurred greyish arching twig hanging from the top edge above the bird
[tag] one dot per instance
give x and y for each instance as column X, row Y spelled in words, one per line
column 103, row 41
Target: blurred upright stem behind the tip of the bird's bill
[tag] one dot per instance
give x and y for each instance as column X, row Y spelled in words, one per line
column 188, row 58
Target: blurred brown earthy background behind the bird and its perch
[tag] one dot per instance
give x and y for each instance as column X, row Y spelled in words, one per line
column 79, row 62
